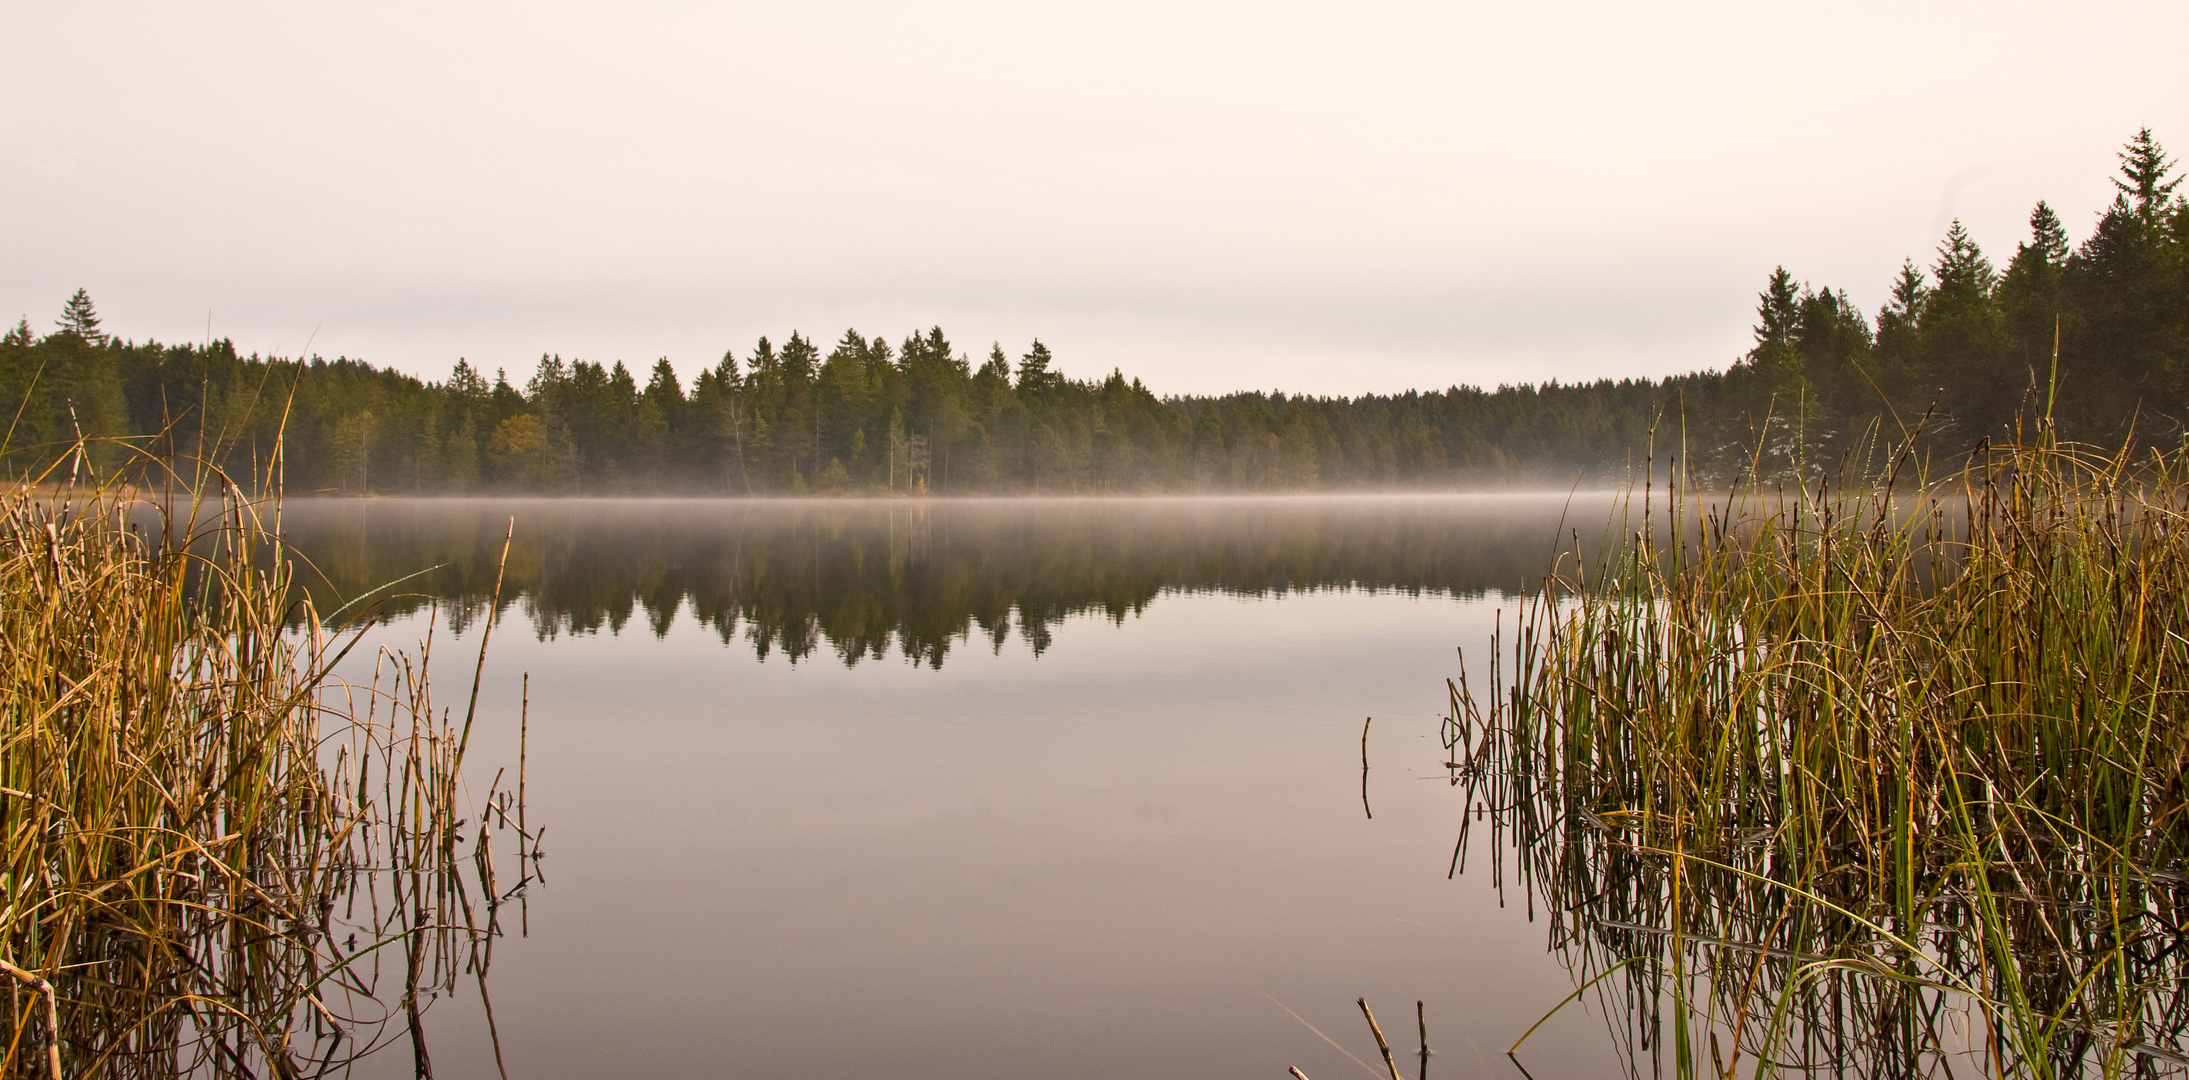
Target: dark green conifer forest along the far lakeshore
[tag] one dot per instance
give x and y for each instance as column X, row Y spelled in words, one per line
column 1960, row 352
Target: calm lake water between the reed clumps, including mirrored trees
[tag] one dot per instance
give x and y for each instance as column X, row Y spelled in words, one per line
column 982, row 790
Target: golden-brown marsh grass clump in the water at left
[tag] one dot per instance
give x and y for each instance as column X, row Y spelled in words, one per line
column 220, row 858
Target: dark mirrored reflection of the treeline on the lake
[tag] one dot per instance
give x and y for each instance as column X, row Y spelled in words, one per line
column 864, row 579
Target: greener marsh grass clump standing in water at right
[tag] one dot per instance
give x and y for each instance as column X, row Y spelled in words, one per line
column 1864, row 779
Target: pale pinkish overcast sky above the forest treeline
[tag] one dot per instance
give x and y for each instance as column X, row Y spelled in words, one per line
column 1209, row 196
